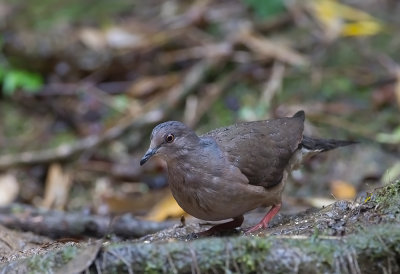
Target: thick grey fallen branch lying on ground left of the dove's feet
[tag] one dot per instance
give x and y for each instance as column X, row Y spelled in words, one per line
column 59, row 224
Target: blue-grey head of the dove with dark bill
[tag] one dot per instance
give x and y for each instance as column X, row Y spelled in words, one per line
column 168, row 140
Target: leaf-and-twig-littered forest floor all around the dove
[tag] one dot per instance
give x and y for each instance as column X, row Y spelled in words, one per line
column 83, row 85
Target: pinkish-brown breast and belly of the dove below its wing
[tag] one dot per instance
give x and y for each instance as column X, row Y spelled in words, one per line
column 214, row 194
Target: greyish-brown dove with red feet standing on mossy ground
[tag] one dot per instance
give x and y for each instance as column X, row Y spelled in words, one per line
column 229, row 171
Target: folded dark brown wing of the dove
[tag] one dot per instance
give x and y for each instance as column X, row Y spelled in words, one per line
column 261, row 149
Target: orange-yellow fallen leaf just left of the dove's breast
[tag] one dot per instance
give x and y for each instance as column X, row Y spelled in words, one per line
column 166, row 207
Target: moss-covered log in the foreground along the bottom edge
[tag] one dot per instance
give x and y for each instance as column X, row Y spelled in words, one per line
column 376, row 250
